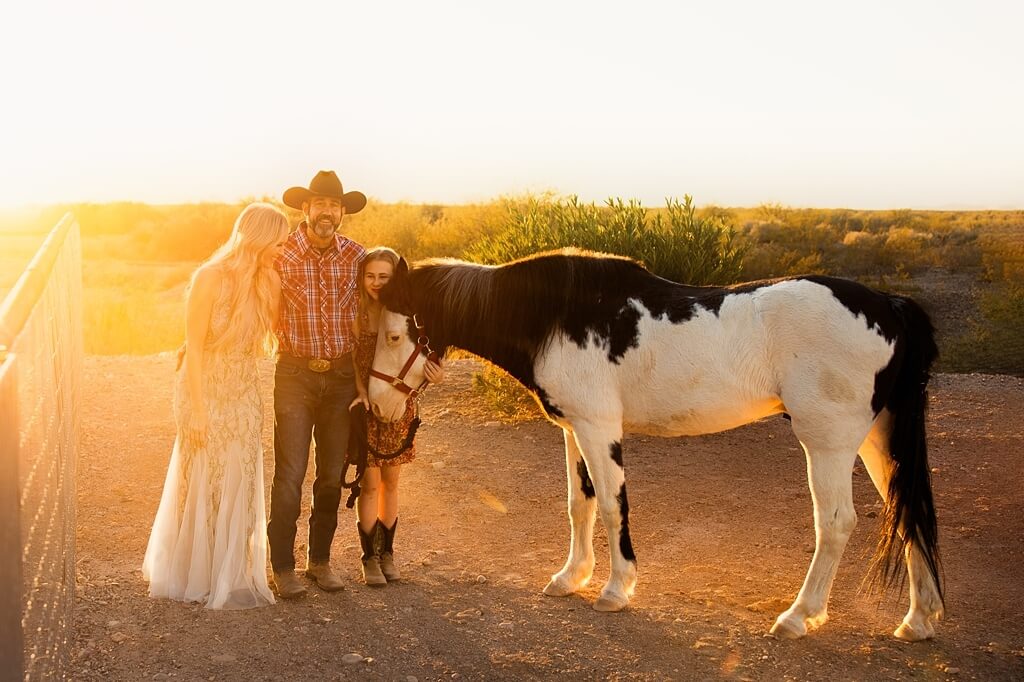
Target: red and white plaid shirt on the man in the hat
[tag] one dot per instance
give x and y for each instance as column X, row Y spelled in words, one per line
column 320, row 296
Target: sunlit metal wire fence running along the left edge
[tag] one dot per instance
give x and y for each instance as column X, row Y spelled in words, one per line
column 41, row 357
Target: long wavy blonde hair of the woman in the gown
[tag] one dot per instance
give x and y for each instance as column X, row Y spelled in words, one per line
column 258, row 229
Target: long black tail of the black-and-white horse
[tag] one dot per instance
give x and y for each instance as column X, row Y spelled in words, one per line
column 910, row 518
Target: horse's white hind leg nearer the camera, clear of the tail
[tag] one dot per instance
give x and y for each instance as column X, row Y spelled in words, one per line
column 830, row 472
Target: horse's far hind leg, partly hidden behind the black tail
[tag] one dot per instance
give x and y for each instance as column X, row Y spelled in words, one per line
column 926, row 605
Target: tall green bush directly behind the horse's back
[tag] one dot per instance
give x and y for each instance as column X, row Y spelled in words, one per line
column 675, row 244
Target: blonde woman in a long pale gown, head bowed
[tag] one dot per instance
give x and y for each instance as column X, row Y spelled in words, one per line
column 209, row 539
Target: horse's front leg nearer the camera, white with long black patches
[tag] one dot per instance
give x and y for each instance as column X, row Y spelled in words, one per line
column 601, row 445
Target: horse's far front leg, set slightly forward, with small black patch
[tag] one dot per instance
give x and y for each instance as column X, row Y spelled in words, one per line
column 580, row 565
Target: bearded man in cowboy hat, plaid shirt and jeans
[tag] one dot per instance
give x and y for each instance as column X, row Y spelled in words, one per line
column 315, row 381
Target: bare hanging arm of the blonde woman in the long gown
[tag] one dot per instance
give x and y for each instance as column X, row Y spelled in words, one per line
column 197, row 324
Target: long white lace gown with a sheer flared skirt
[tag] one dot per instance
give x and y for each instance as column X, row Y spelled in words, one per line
column 209, row 539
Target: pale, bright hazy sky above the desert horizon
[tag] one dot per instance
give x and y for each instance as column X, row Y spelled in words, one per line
column 804, row 104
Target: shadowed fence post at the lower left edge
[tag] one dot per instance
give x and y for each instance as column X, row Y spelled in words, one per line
column 12, row 643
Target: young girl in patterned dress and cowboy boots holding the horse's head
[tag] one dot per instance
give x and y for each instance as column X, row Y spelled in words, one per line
column 377, row 506
